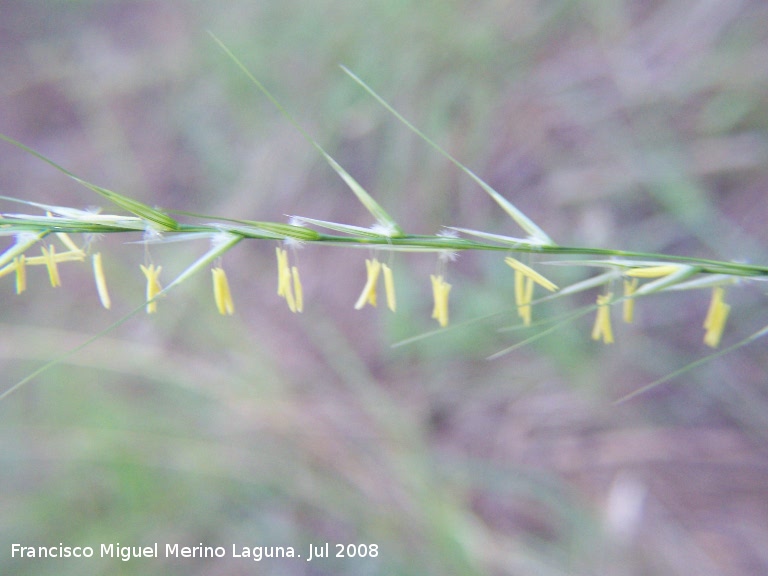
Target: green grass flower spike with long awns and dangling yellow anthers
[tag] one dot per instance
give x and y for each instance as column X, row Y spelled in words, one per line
column 630, row 275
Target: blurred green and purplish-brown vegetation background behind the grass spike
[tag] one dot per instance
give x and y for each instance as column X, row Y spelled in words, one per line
column 629, row 124
